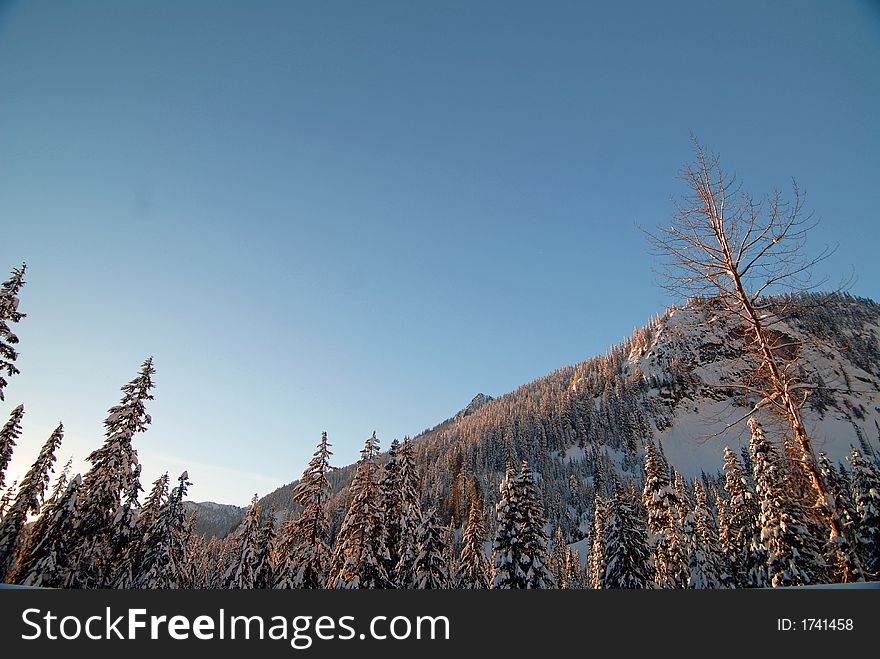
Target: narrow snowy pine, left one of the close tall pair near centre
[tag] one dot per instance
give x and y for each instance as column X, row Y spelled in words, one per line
column 507, row 561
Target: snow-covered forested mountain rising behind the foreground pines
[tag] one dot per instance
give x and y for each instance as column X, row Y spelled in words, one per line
column 678, row 382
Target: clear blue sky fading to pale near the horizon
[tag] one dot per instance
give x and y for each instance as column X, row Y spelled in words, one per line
column 350, row 216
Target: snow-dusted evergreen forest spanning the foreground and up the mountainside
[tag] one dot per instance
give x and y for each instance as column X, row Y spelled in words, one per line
column 428, row 514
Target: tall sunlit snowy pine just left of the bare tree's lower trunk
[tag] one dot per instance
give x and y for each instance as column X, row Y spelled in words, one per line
column 784, row 536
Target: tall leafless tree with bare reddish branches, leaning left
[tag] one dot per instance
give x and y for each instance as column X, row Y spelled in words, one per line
column 725, row 243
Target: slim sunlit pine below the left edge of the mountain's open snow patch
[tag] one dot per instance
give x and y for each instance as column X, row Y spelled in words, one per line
column 661, row 504
